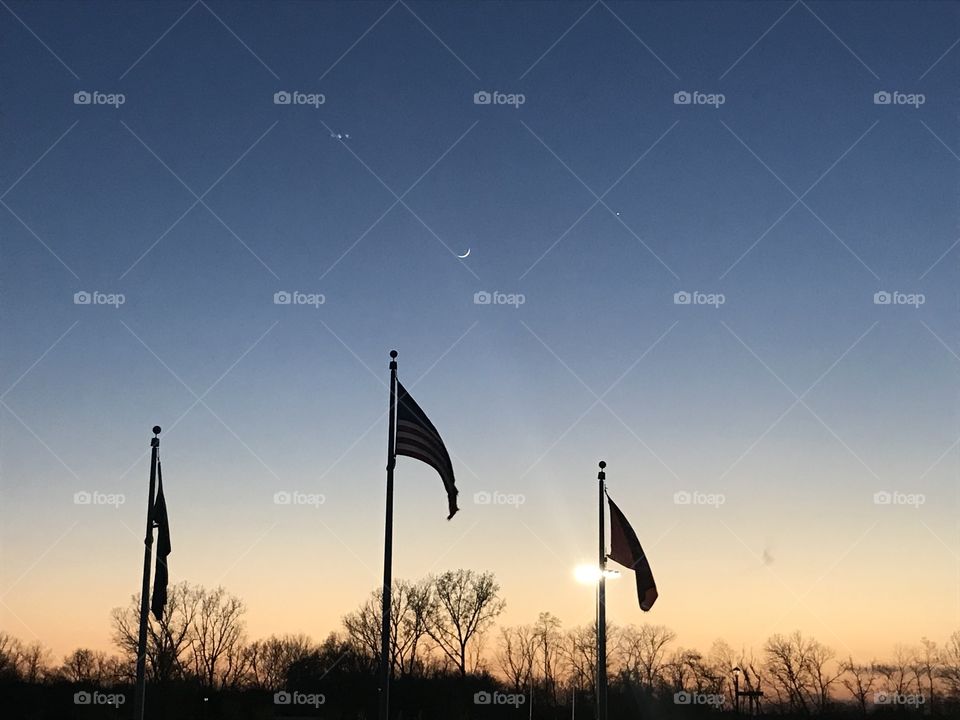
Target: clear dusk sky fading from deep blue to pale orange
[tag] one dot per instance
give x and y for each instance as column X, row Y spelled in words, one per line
column 746, row 304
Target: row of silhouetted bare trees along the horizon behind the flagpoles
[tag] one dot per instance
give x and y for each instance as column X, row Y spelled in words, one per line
column 446, row 651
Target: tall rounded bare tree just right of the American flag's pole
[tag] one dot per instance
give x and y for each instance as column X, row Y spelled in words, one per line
column 463, row 605
